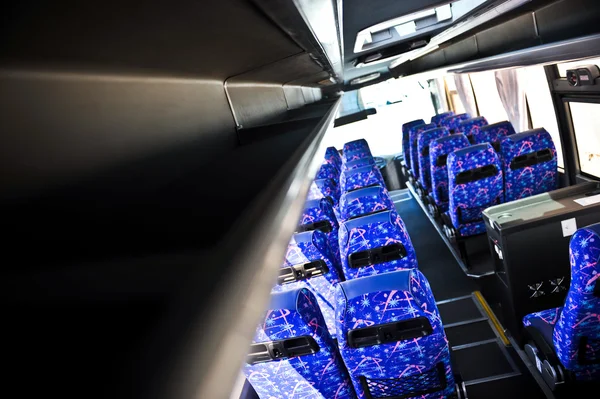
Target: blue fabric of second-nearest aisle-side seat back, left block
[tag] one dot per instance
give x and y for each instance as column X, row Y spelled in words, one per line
column 374, row 231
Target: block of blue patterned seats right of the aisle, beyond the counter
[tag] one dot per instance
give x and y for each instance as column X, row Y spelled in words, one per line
column 463, row 166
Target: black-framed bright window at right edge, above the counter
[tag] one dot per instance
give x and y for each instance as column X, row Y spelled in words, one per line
column 586, row 122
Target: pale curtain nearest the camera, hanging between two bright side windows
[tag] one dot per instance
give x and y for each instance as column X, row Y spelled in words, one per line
column 512, row 95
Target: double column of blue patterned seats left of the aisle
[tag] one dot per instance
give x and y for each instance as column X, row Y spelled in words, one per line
column 363, row 324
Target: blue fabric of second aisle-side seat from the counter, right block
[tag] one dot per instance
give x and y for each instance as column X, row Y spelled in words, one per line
column 439, row 174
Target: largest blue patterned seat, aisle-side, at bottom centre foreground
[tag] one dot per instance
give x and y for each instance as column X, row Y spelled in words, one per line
column 391, row 337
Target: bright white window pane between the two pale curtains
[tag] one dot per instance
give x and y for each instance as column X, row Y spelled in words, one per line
column 488, row 100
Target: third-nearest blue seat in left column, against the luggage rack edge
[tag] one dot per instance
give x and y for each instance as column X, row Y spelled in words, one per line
column 319, row 214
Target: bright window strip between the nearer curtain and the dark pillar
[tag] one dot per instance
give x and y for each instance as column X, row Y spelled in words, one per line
column 540, row 105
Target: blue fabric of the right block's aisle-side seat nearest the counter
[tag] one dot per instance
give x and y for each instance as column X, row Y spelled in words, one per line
column 468, row 200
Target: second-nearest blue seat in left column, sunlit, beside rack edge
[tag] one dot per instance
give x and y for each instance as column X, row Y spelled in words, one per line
column 309, row 262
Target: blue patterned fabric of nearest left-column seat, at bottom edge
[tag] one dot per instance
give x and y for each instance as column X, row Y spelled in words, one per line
column 321, row 375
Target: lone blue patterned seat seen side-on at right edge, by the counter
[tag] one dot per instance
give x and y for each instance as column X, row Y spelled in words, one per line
column 573, row 331
